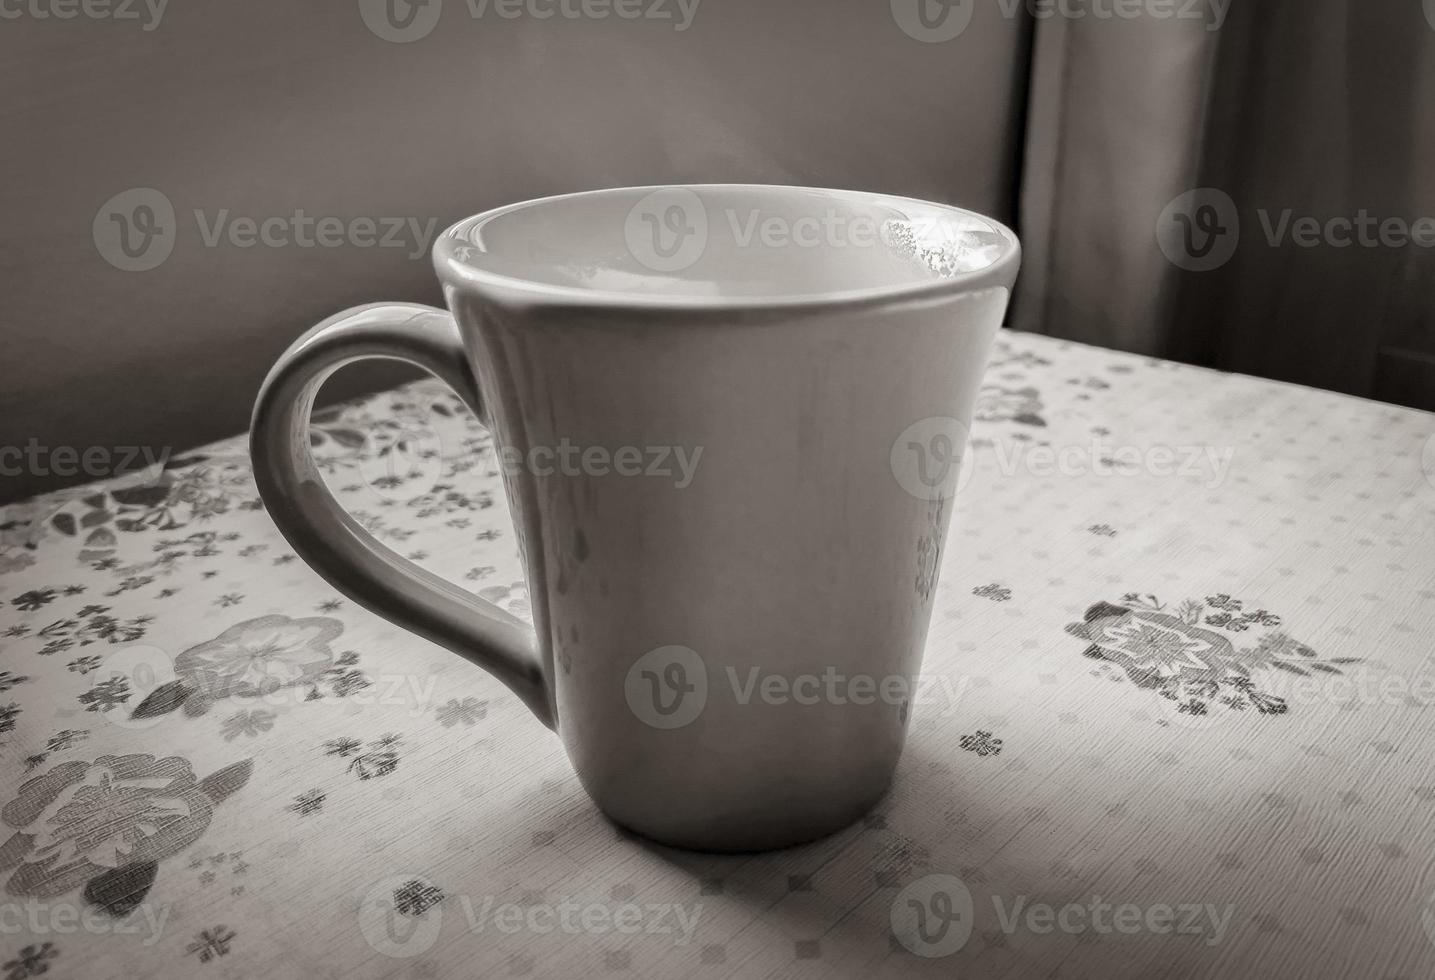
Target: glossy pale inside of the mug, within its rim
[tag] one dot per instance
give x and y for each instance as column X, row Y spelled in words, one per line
column 721, row 243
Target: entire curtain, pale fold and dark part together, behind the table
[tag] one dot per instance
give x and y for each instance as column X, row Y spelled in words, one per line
column 1169, row 164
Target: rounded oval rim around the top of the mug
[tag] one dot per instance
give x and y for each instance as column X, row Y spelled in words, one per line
column 457, row 272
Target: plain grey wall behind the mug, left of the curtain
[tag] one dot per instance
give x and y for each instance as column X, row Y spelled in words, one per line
column 263, row 108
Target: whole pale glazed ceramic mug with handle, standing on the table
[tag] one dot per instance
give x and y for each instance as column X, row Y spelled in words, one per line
column 730, row 652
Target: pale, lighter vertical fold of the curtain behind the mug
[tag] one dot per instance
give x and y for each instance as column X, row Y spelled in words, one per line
column 1114, row 131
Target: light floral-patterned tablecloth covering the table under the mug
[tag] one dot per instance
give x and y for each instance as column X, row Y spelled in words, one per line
column 1185, row 727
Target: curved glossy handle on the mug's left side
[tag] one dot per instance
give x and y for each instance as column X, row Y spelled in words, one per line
column 335, row 545
